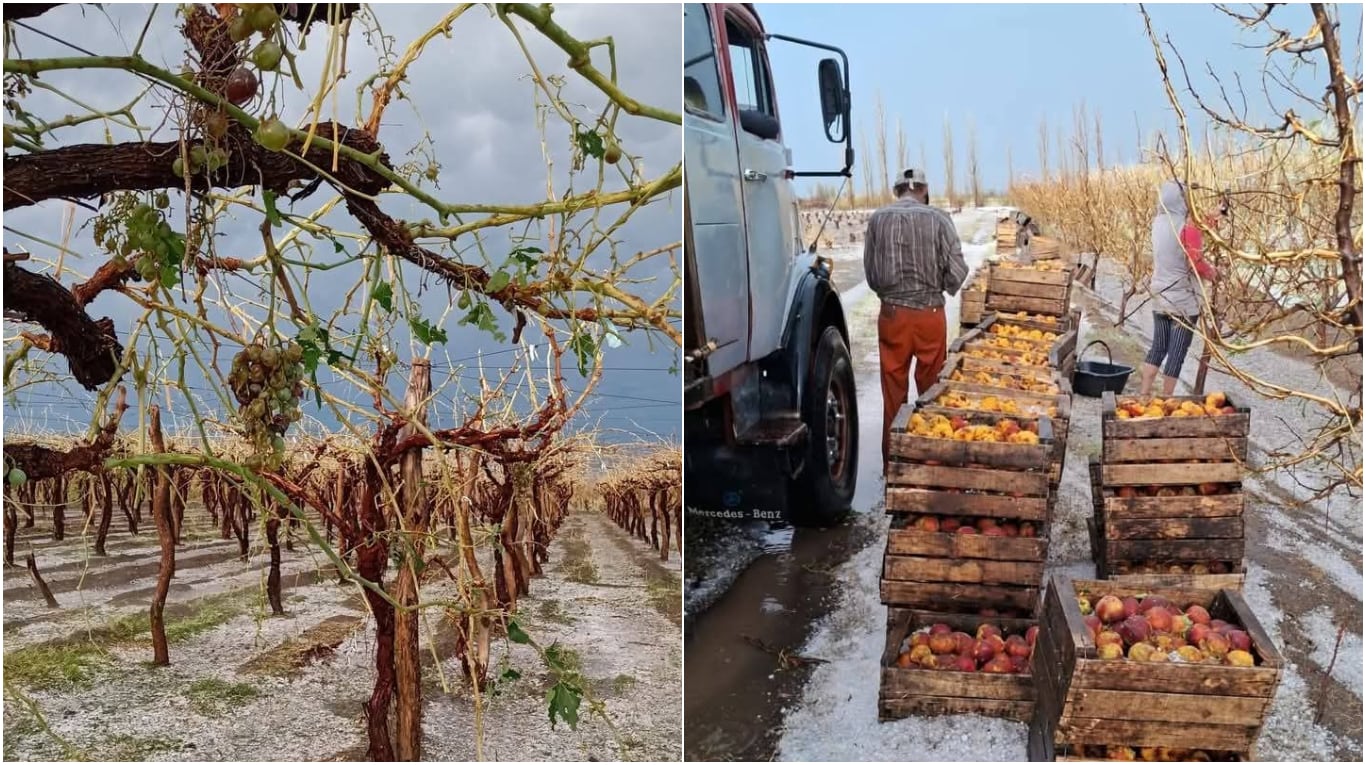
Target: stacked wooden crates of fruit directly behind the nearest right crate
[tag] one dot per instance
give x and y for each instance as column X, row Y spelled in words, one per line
column 1167, row 491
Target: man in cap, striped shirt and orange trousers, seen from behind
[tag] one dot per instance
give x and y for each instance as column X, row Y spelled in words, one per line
column 912, row 258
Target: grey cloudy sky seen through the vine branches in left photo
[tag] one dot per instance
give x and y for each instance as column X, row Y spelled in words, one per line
column 471, row 96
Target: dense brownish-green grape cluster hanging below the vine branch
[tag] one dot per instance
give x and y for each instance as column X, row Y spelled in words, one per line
column 268, row 382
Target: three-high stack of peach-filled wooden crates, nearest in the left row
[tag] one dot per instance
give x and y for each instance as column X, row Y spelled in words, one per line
column 965, row 553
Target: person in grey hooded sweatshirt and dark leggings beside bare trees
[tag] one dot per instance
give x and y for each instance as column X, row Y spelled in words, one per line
column 1178, row 267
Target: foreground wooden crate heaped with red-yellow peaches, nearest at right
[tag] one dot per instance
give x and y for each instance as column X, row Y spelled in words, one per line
column 1210, row 701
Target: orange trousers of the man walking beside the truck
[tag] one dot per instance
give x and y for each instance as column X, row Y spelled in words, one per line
column 905, row 335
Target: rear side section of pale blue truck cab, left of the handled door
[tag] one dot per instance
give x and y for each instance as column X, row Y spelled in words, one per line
column 716, row 214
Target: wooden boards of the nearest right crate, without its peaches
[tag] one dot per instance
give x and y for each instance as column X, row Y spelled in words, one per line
column 1083, row 700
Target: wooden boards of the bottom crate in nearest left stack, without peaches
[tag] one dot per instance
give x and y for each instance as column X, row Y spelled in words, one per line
column 942, row 692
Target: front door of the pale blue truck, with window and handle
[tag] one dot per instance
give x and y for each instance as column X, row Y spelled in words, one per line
column 770, row 204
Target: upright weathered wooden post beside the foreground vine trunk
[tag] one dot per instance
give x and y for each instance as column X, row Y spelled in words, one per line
column 415, row 517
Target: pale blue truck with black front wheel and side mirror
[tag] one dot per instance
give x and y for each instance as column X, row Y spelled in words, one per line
column 771, row 409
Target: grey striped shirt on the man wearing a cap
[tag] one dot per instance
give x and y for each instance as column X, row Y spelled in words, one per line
column 912, row 255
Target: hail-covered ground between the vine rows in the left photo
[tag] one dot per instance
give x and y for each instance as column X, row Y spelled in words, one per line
column 248, row 686
